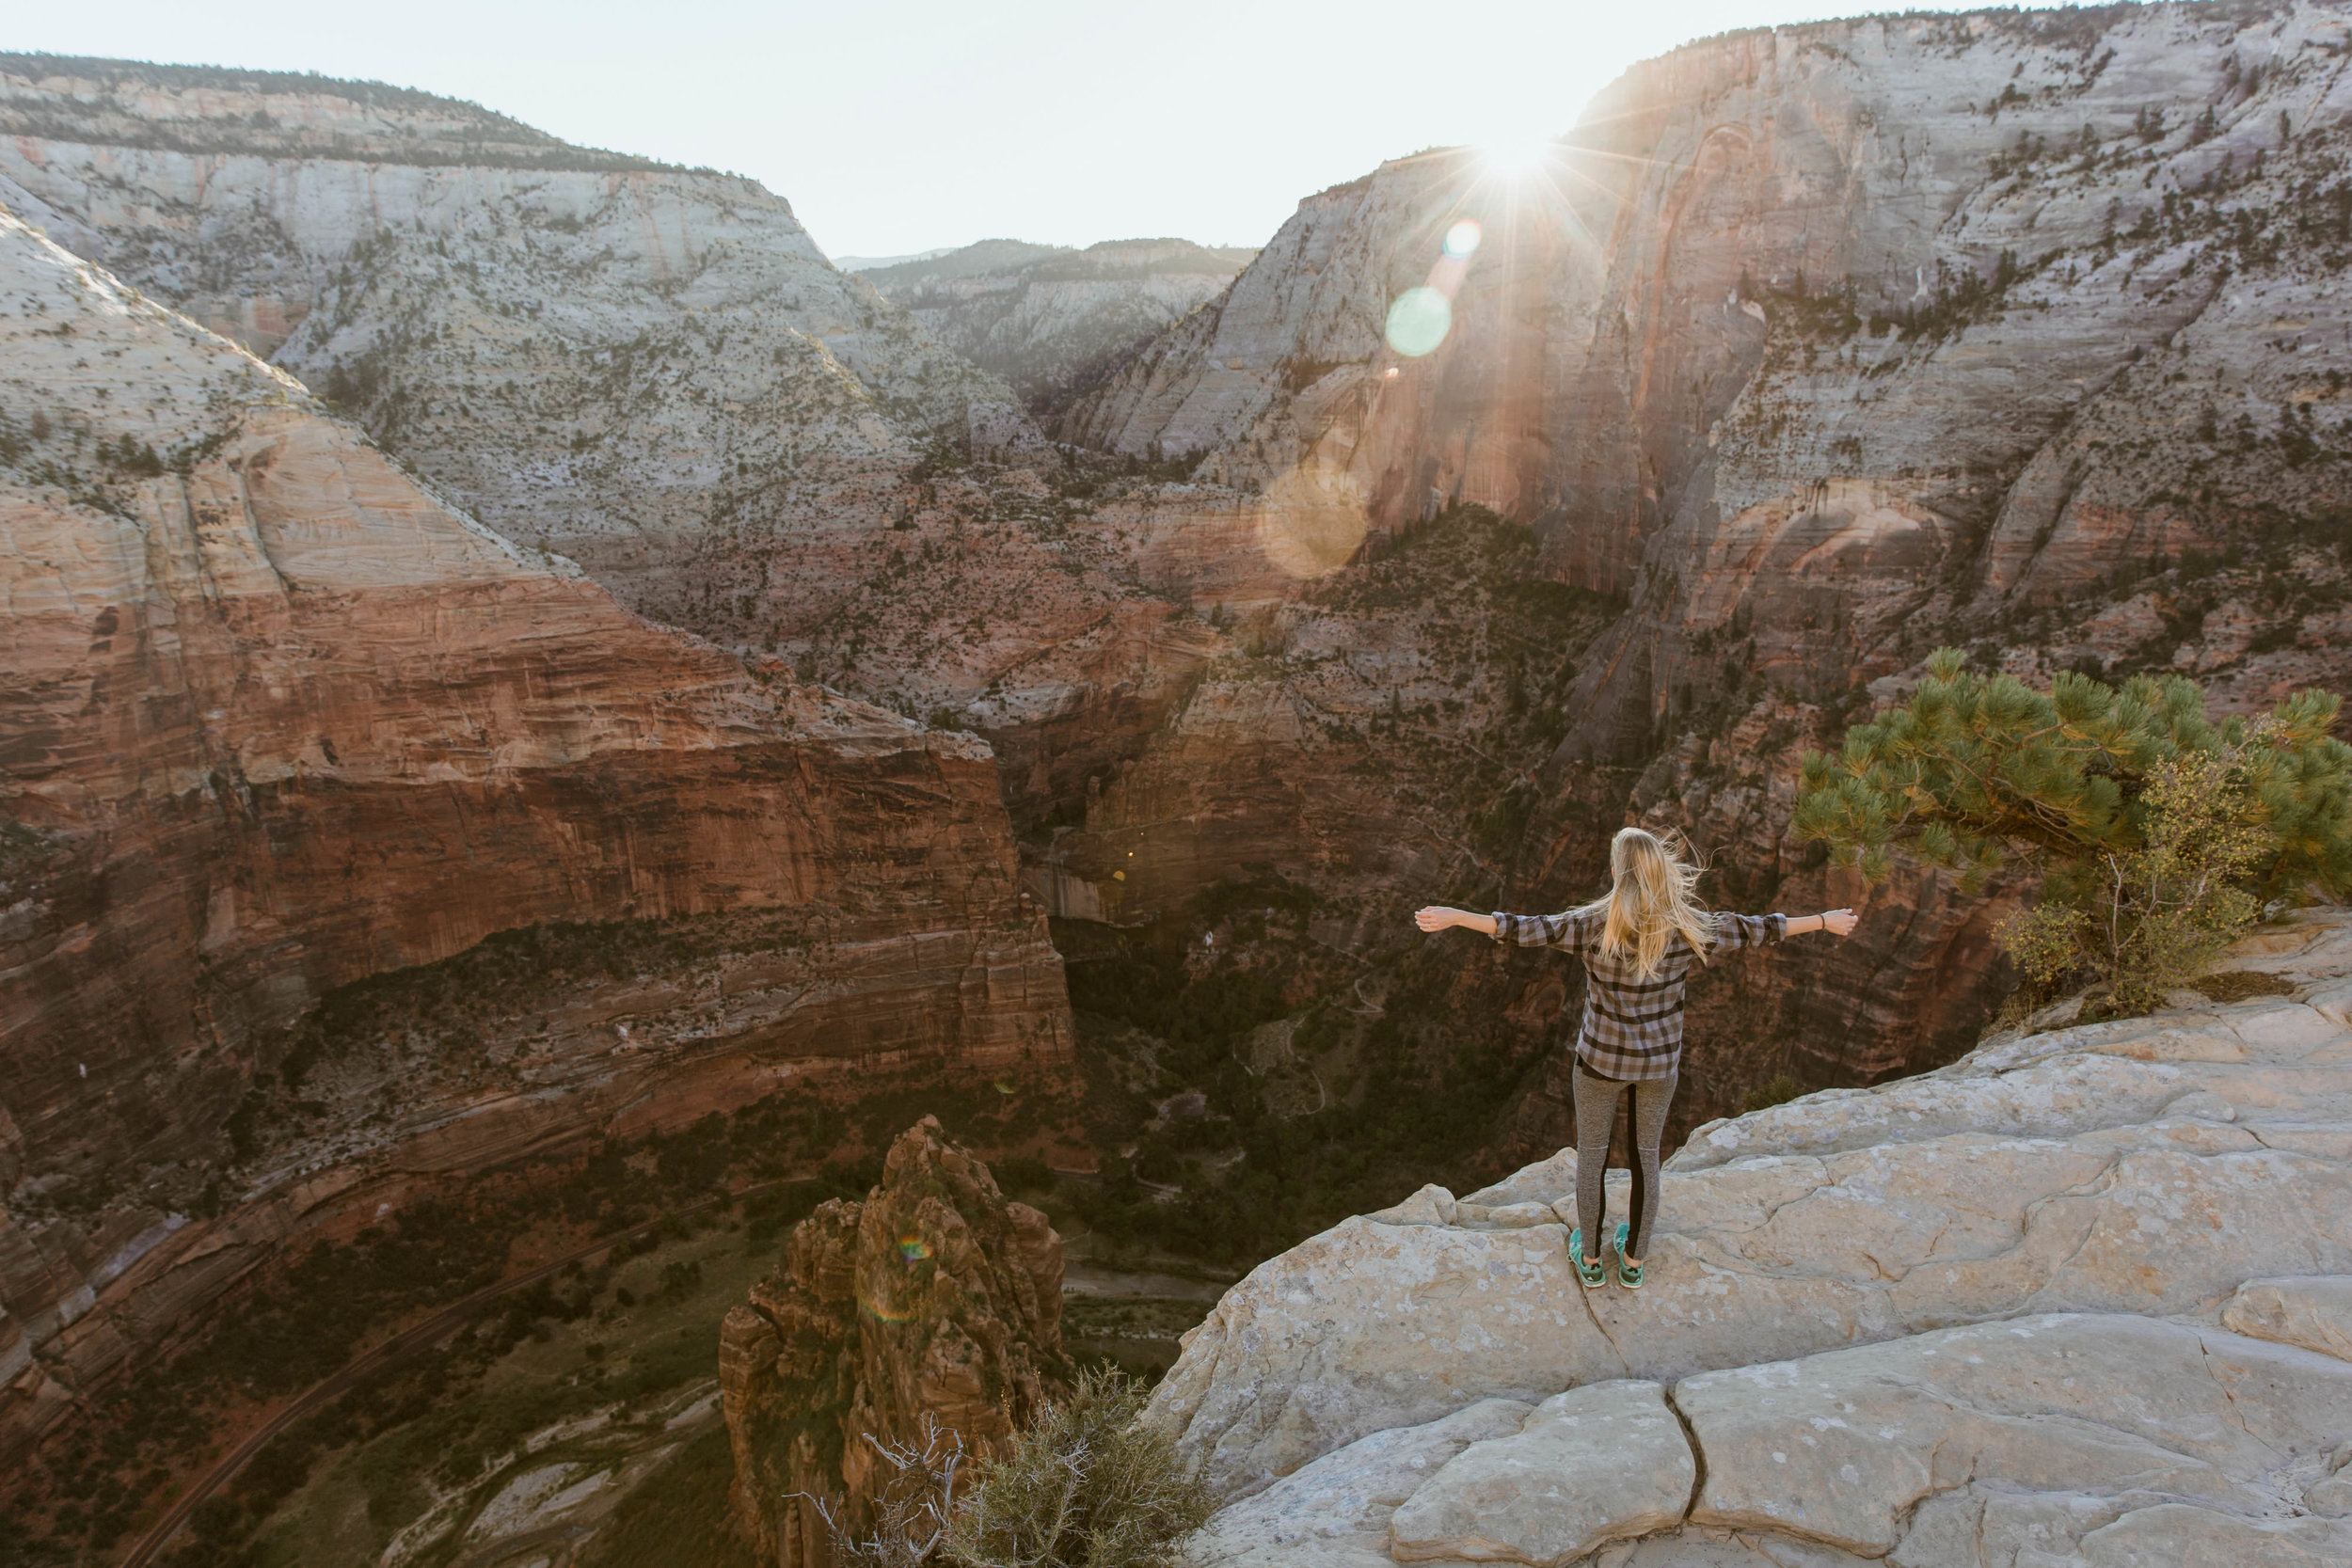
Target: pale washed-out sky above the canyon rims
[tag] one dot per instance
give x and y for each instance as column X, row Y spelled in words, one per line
column 928, row 123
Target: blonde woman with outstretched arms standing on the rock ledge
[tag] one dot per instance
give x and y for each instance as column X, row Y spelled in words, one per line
column 1638, row 946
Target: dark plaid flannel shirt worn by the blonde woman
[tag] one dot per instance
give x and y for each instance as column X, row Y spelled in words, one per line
column 1631, row 1028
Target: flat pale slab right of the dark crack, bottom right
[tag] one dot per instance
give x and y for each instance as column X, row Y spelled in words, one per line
column 1847, row 1445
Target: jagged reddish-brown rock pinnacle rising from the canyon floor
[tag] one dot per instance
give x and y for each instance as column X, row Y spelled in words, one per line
column 935, row 1296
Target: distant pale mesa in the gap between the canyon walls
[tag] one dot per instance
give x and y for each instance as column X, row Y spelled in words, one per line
column 1057, row 321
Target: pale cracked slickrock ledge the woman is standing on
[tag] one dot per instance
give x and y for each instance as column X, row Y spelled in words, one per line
column 2083, row 1296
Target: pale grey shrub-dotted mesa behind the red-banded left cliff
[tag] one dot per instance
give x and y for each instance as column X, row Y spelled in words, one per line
column 648, row 370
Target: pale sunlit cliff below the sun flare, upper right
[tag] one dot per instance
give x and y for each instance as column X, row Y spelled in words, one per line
column 1838, row 340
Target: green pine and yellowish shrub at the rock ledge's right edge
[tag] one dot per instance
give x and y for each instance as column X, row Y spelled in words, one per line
column 2158, row 831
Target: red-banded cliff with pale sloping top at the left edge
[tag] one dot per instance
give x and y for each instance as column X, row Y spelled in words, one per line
column 279, row 723
